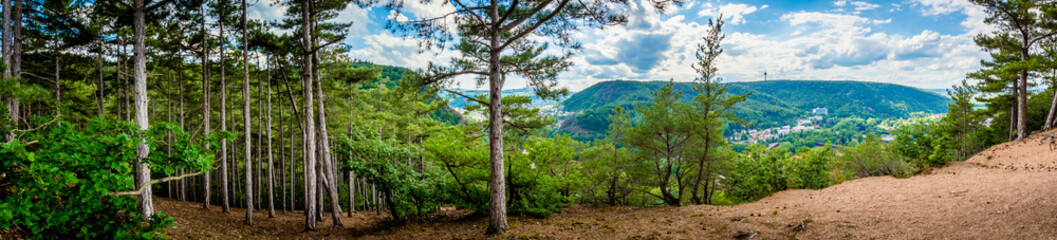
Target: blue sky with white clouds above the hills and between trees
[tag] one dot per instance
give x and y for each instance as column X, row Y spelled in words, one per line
column 925, row 44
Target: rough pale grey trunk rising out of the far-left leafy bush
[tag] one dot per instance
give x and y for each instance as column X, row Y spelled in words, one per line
column 140, row 72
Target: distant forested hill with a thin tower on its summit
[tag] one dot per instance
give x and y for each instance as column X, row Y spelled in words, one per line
column 772, row 104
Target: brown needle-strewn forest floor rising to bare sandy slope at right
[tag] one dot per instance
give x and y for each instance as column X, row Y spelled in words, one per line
column 1009, row 192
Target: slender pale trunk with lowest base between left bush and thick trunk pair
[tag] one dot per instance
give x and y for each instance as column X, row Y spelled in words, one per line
column 246, row 117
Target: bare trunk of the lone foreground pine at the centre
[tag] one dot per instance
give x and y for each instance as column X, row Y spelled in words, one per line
column 497, row 182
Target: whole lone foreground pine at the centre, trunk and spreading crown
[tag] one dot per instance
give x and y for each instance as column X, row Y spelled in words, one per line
column 503, row 38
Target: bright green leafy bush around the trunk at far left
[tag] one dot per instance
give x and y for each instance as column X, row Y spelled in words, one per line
column 57, row 182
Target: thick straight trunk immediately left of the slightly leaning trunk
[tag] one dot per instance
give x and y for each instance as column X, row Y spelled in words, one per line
column 310, row 126
